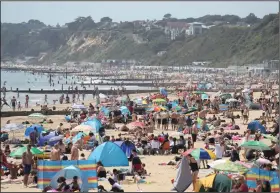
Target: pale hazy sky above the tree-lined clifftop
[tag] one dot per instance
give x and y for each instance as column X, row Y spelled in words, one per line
column 63, row 12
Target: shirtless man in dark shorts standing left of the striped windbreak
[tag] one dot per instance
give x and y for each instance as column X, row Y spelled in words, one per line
column 27, row 162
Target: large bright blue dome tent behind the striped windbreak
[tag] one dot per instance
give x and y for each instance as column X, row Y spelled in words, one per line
column 110, row 154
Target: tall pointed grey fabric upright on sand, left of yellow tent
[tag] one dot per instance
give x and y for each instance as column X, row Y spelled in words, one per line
column 184, row 176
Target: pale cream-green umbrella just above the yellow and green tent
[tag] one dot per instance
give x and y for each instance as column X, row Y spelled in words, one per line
column 229, row 166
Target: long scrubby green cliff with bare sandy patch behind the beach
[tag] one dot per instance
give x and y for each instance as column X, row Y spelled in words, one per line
column 84, row 40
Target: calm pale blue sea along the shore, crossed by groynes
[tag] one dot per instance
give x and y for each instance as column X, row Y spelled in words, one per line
column 26, row 80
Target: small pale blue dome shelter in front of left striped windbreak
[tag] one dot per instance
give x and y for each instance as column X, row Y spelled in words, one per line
column 68, row 173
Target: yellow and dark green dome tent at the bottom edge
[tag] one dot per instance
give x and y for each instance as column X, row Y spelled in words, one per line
column 214, row 183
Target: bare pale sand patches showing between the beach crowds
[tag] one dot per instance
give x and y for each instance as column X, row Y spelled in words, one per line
column 161, row 175
